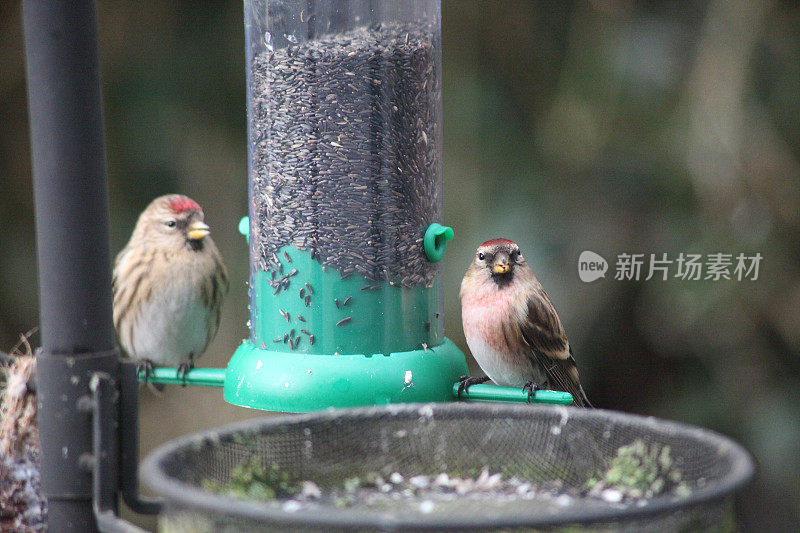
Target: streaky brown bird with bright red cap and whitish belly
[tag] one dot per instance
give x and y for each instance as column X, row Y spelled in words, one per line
column 169, row 282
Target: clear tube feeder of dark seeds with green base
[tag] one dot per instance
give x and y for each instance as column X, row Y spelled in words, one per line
column 345, row 187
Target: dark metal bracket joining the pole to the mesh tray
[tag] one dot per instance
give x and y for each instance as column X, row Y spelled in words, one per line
column 115, row 444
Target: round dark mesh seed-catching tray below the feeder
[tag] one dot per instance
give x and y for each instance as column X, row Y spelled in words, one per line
column 450, row 466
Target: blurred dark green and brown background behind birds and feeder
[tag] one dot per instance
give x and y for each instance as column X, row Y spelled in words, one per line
column 612, row 126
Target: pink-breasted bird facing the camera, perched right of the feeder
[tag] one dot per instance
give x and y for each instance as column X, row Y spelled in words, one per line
column 511, row 326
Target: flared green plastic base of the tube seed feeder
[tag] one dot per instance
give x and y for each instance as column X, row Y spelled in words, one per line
column 297, row 382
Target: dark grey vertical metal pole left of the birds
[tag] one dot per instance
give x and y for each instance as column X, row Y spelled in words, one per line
column 73, row 248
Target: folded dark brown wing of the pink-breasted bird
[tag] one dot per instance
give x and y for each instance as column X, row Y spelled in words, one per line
column 543, row 333
